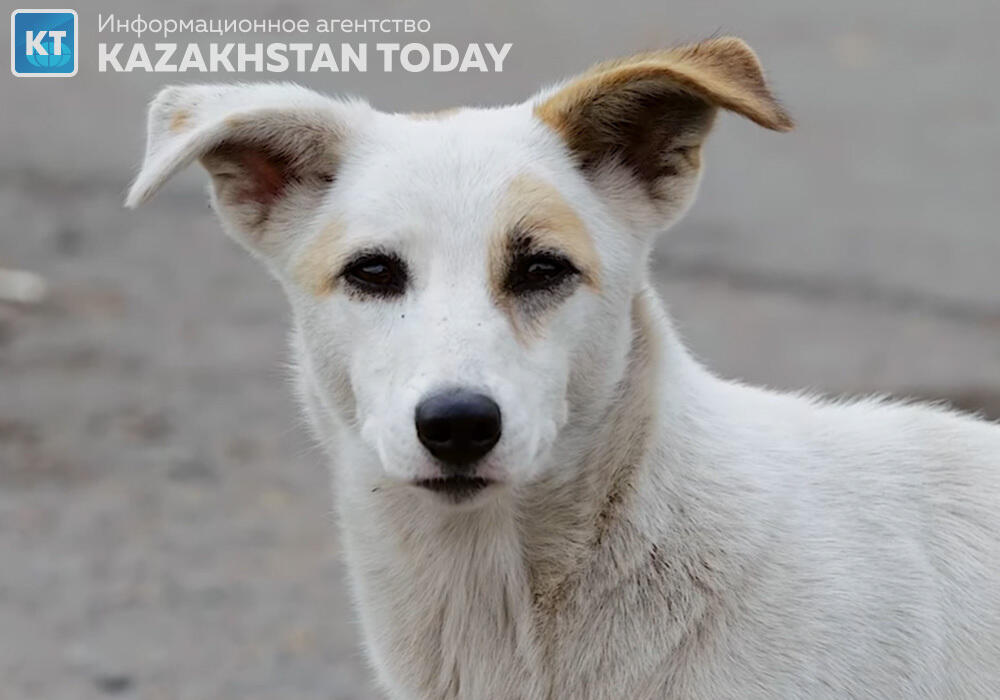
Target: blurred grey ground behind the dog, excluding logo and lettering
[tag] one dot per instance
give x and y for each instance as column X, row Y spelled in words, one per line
column 165, row 524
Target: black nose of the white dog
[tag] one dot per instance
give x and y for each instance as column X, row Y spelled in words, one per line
column 458, row 427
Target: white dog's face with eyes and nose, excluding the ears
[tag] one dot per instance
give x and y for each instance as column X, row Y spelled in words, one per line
column 448, row 290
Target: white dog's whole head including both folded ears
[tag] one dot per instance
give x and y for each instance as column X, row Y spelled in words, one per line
column 461, row 281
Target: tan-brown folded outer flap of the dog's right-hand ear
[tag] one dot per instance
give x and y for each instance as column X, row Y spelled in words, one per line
column 724, row 72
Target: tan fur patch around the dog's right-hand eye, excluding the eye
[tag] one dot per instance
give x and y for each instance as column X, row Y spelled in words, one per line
column 534, row 209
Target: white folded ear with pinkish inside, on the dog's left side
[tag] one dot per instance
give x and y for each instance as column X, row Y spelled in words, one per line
column 272, row 151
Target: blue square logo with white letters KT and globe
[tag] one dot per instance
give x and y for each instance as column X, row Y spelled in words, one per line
column 43, row 43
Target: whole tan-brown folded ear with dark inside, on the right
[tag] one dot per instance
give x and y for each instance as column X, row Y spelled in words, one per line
column 649, row 114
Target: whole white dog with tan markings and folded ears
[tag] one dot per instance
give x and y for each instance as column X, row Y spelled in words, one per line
column 542, row 495
